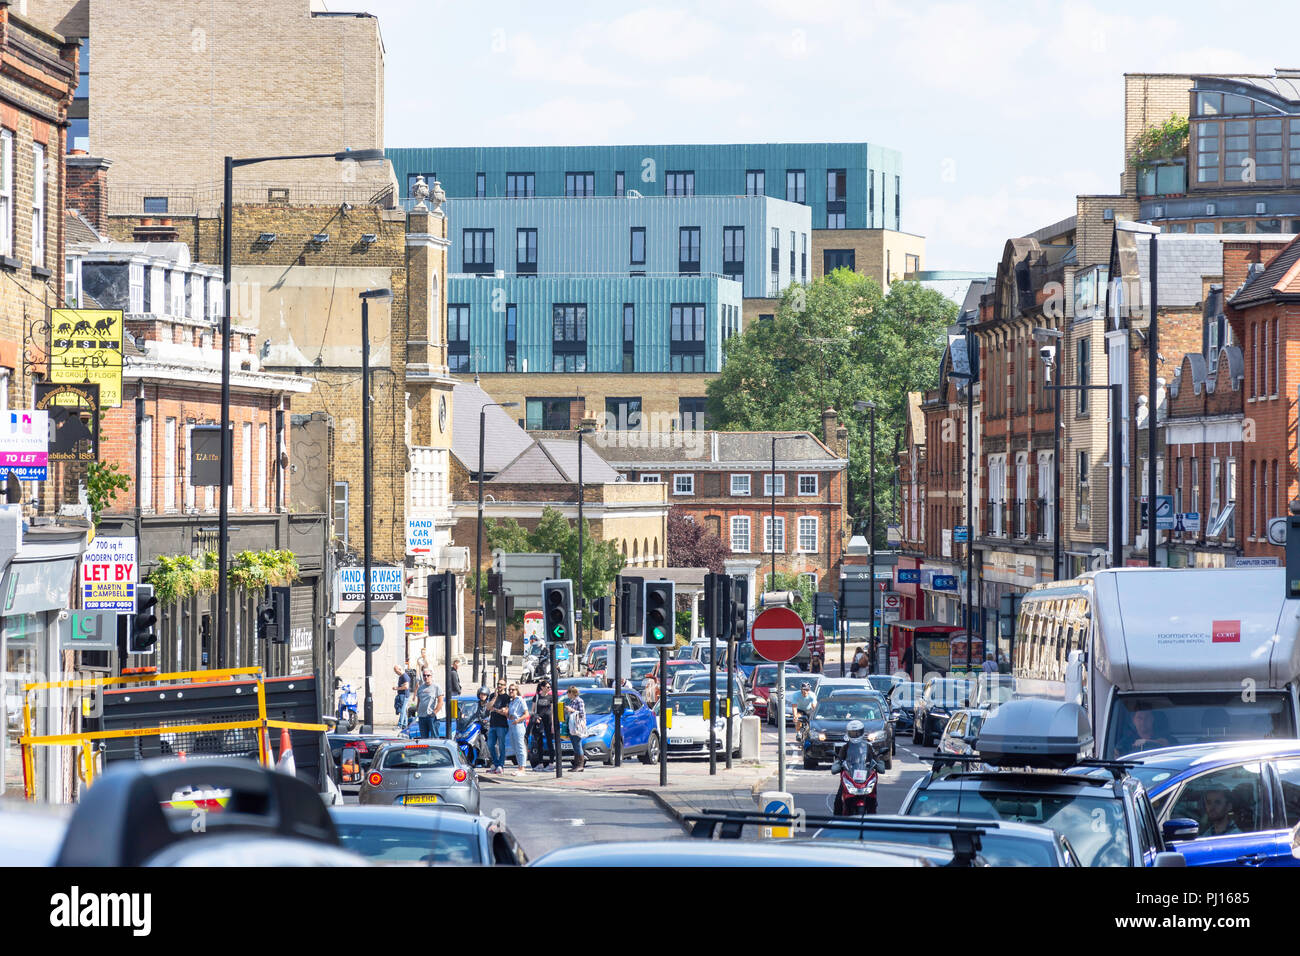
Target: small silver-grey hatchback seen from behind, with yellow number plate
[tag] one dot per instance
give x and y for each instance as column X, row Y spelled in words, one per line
column 421, row 773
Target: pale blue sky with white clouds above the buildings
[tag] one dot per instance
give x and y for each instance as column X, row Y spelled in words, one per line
column 1003, row 111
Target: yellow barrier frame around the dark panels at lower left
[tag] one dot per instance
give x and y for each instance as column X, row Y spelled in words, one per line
column 84, row 741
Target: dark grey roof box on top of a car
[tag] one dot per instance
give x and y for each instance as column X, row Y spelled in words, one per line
column 1035, row 734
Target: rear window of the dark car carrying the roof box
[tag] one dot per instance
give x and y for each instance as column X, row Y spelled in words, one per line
column 1094, row 825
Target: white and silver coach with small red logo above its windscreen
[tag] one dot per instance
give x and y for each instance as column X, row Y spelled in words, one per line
column 1162, row 657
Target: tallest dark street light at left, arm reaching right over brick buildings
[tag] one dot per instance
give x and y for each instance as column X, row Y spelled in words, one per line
column 369, row 158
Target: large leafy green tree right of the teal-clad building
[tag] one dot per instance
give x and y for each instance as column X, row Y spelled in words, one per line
column 835, row 343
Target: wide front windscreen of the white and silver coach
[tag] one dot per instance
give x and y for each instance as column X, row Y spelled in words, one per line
column 1151, row 721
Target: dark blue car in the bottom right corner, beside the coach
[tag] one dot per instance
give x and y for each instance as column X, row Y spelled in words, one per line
column 1245, row 799
